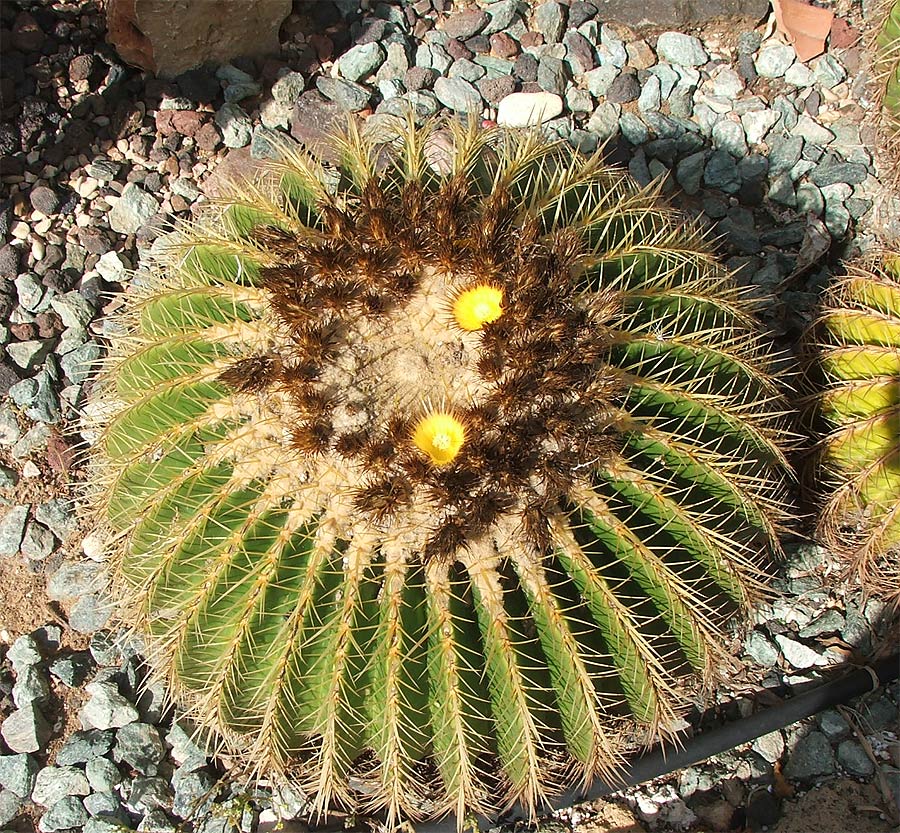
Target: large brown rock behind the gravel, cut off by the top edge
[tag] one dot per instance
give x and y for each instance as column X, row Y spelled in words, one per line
column 169, row 39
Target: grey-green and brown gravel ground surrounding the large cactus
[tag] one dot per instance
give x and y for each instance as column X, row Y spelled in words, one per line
column 96, row 158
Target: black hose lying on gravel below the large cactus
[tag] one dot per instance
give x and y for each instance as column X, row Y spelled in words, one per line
column 706, row 744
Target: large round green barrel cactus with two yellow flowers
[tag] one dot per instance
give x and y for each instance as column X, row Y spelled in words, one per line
column 435, row 473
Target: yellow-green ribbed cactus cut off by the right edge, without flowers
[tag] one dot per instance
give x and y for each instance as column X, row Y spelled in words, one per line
column 859, row 334
